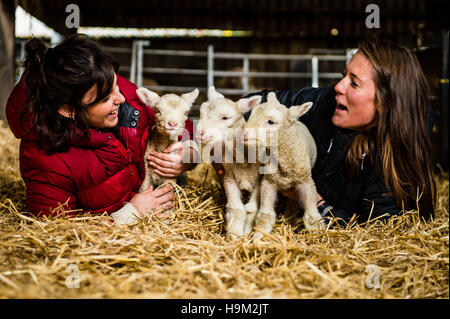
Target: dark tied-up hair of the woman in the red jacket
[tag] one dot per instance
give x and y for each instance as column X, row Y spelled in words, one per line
column 61, row 76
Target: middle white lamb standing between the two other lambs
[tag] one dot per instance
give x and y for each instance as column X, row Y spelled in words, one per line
column 220, row 126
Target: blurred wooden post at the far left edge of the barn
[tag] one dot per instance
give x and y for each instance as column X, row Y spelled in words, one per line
column 7, row 66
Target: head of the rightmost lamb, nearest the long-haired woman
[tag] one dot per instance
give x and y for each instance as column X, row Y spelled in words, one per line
column 268, row 119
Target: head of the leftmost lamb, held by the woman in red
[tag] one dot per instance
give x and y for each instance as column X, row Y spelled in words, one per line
column 171, row 110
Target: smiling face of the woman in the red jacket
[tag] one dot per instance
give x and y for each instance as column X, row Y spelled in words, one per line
column 104, row 114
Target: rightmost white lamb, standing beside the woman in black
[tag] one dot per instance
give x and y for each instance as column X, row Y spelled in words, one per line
column 273, row 125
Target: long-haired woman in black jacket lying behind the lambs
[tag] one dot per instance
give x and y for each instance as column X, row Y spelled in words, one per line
column 372, row 134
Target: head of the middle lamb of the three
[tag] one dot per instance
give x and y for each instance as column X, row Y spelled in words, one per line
column 221, row 117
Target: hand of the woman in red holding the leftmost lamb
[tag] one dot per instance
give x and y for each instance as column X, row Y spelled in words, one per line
column 169, row 163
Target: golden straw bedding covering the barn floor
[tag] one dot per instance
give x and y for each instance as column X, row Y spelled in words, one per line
column 187, row 254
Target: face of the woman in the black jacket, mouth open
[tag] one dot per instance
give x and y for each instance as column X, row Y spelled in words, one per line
column 356, row 108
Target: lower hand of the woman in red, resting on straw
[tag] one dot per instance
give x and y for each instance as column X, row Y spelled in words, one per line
column 148, row 200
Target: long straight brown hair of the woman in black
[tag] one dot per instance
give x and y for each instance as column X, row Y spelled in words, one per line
column 400, row 141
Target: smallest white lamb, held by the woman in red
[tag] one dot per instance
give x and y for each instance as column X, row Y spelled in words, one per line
column 171, row 113
